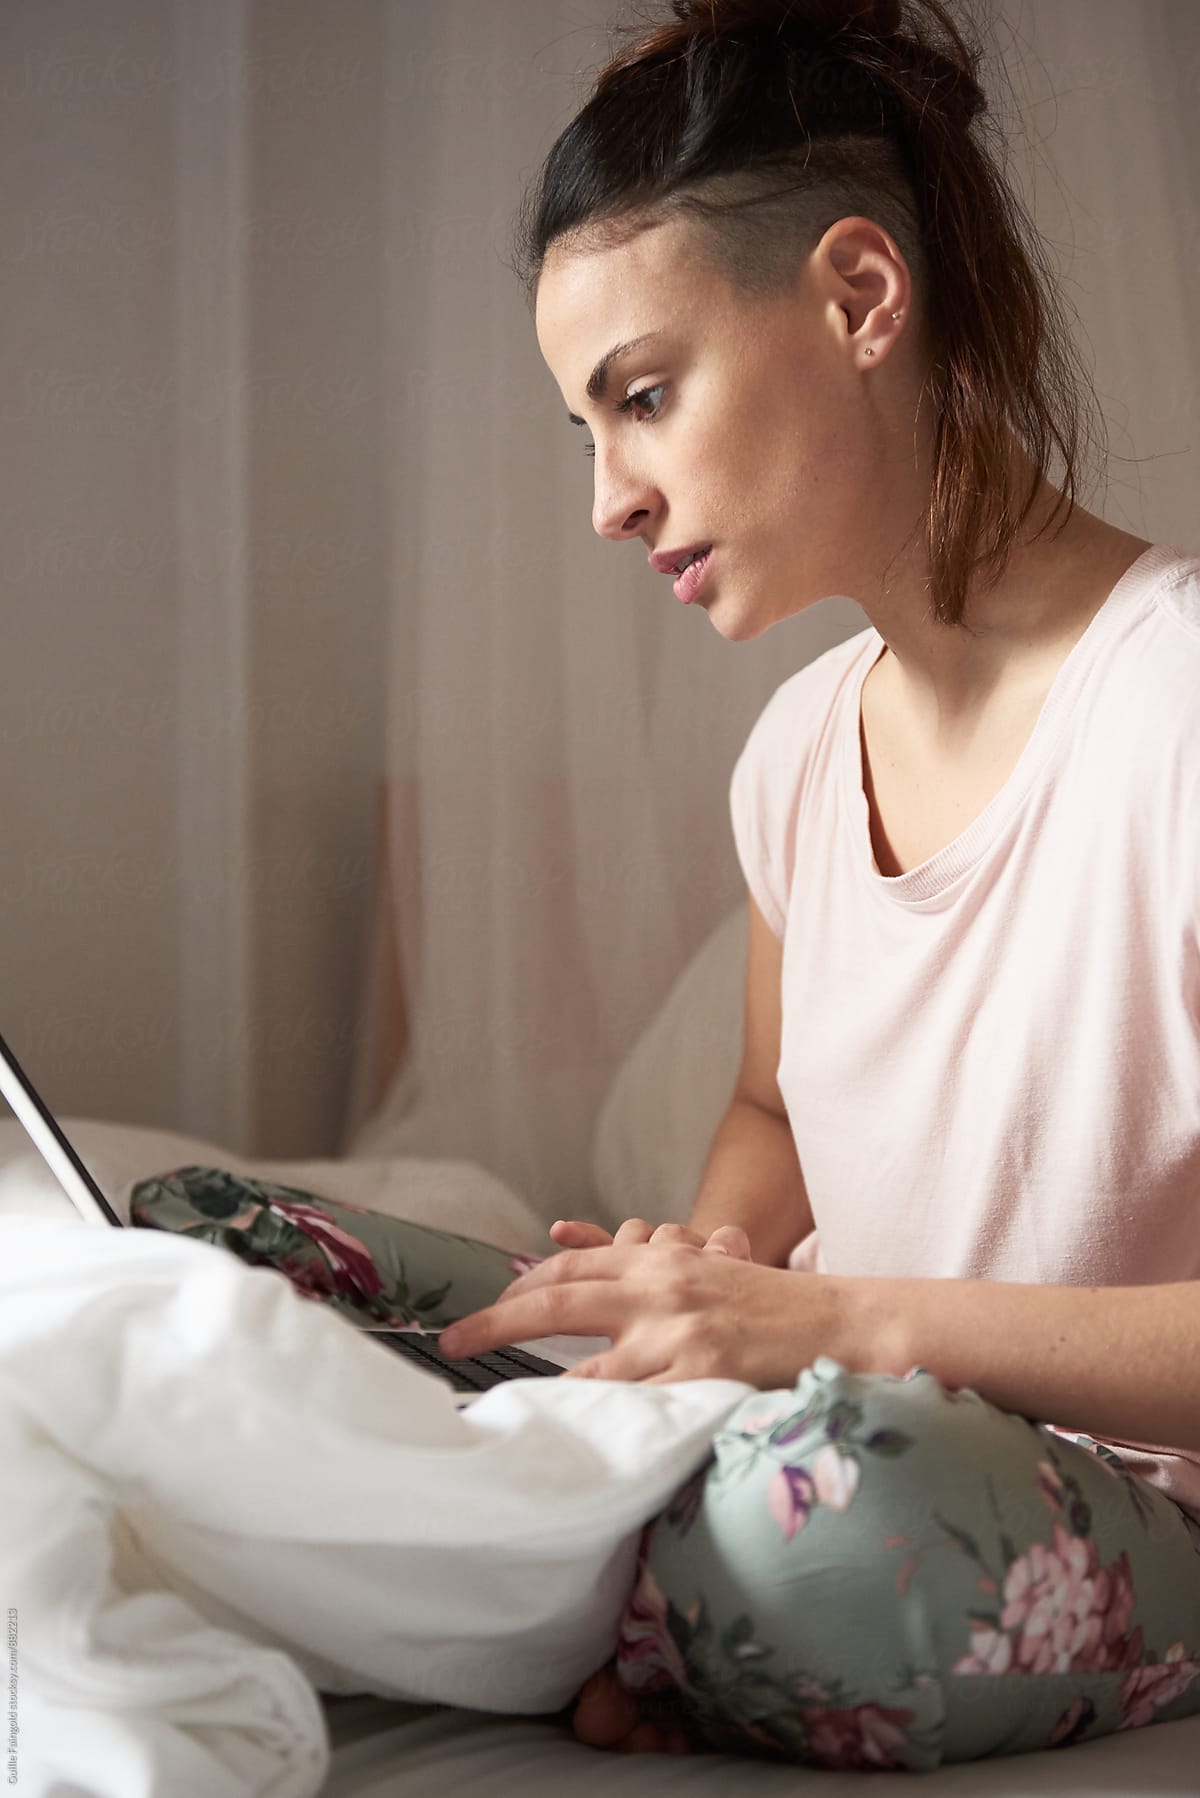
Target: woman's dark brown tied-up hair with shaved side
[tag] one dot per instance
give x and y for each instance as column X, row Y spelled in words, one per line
column 771, row 120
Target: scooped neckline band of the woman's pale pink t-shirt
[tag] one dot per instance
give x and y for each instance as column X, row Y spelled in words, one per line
column 931, row 878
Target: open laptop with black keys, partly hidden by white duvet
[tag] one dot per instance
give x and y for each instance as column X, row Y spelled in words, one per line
column 469, row 1378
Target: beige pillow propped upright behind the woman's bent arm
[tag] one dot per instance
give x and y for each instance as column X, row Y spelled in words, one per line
column 668, row 1098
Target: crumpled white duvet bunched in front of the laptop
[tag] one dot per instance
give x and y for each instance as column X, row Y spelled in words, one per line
column 219, row 1497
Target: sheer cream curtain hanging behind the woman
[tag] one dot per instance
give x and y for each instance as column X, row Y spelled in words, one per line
column 560, row 731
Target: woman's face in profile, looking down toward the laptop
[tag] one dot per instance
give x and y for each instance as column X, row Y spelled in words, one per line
column 740, row 423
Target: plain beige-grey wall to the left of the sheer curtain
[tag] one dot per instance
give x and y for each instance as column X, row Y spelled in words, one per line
column 192, row 517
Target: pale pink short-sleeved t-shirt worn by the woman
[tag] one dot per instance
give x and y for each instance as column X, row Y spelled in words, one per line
column 992, row 1064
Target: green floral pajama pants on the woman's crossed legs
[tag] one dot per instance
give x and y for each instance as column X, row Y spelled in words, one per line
column 870, row 1572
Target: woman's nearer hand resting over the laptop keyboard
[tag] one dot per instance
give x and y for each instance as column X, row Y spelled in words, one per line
column 681, row 1313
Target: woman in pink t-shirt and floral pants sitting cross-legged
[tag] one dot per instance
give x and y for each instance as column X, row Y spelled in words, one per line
column 784, row 287
